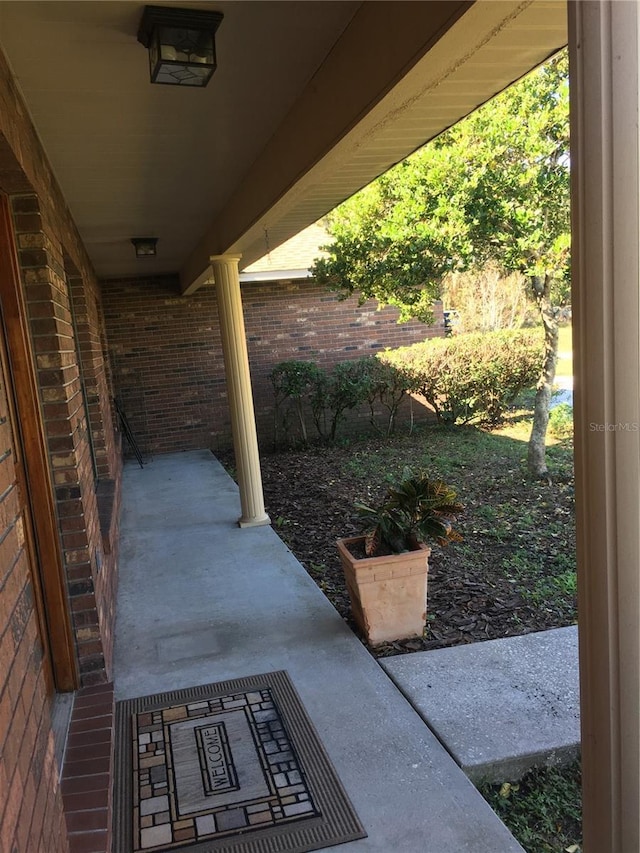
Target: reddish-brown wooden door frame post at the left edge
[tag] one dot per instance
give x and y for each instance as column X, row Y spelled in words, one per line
column 41, row 499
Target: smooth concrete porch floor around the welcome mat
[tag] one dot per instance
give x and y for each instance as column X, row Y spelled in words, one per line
column 202, row 601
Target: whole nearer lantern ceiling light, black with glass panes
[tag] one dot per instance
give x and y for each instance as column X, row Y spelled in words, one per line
column 181, row 44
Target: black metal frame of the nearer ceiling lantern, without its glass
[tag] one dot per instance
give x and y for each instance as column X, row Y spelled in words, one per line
column 181, row 19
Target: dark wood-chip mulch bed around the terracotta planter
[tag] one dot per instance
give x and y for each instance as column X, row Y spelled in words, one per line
column 470, row 596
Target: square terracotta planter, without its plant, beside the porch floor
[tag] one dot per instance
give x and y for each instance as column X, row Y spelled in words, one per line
column 388, row 594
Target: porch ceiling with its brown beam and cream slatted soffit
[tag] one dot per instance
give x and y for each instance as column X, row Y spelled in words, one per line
column 310, row 101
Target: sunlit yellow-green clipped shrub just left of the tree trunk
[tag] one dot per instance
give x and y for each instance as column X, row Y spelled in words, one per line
column 474, row 376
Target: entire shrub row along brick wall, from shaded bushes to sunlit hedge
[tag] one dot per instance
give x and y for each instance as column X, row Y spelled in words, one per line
column 467, row 377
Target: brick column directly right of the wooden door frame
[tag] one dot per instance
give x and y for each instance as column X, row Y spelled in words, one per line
column 66, row 430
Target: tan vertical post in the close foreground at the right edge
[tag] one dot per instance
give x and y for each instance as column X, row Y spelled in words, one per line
column 605, row 145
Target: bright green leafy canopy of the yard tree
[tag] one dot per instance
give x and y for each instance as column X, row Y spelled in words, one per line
column 493, row 187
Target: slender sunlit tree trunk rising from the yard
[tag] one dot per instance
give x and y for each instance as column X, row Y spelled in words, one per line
column 536, row 462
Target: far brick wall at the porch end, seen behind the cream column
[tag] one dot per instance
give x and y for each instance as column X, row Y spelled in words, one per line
column 167, row 360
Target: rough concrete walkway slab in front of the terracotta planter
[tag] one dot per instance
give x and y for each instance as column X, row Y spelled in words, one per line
column 501, row 707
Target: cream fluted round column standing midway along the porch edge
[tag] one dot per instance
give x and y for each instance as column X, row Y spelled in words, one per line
column 236, row 362
